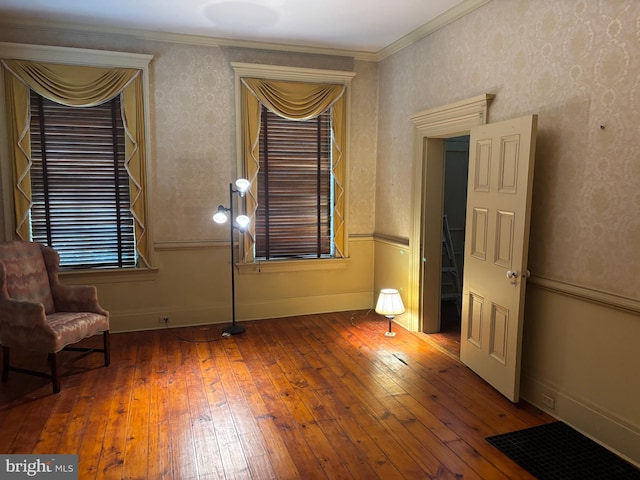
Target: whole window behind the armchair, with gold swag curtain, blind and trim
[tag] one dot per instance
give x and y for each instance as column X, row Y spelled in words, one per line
column 89, row 203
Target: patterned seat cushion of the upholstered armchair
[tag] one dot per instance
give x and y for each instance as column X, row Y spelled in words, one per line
column 71, row 327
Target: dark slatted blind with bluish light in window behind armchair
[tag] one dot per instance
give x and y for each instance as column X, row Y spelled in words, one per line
column 80, row 188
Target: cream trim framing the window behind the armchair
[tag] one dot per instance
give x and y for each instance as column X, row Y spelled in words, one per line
column 69, row 56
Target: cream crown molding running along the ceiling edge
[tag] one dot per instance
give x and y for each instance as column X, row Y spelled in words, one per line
column 460, row 10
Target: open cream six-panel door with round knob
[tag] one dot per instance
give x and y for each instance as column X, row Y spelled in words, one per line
column 501, row 158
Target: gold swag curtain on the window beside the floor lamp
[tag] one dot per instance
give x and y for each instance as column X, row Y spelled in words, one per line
column 295, row 101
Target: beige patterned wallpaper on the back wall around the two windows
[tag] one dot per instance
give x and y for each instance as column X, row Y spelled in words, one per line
column 193, row 127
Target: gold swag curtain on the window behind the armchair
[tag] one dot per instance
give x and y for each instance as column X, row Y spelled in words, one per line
column 75, row 86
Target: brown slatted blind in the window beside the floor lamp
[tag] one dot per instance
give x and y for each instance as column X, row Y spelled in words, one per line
column 293, row 219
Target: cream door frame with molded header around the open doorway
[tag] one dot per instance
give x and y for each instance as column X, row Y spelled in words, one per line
column 431, row 127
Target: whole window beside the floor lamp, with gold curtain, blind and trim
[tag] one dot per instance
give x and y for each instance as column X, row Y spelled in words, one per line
column 301, row 211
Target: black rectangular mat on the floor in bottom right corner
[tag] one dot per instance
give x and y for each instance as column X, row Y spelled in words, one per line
column 555, row 451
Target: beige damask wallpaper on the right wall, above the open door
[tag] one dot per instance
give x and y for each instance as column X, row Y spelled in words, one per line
column 576, row 63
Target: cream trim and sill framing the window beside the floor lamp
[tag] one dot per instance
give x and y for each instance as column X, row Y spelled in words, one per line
column 296, row 74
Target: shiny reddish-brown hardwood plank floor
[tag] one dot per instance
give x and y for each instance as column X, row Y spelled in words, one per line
column 314, row 397
